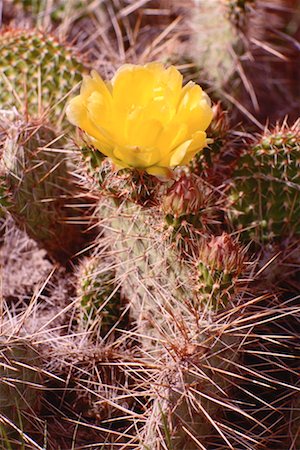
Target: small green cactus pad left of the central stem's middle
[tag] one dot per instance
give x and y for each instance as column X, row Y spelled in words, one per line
column 100, row 297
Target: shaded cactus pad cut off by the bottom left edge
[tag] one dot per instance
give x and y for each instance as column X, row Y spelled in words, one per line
column 20, row 384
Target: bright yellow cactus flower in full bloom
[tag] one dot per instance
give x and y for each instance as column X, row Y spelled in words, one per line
column 144, row 118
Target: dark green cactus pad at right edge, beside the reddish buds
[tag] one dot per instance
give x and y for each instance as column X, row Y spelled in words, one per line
column 265, row 188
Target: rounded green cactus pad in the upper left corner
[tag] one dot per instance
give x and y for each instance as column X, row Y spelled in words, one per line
column 37, row 72
